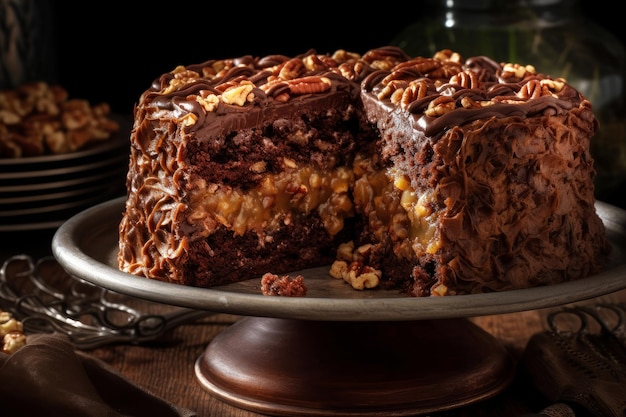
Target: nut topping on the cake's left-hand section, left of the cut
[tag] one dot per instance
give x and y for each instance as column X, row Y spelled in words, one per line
column 247, row 79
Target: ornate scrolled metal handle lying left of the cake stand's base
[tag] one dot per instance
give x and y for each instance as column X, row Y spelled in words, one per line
column 46, row 299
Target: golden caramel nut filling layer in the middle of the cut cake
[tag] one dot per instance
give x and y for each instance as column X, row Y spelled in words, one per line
column 384, row 197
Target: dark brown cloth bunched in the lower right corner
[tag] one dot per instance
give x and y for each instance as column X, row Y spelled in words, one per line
column 584, row 369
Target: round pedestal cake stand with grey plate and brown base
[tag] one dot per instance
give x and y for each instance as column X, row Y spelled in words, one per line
column 338, row 351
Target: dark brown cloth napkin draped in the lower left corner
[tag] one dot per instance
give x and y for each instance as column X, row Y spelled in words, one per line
column 49, row 377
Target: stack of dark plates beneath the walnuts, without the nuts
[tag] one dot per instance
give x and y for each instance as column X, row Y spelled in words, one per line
column 42, row 192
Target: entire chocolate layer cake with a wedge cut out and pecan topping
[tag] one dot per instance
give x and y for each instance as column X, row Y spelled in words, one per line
column 435, row 176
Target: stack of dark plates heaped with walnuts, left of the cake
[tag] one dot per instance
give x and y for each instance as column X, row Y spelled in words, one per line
column 58, row 156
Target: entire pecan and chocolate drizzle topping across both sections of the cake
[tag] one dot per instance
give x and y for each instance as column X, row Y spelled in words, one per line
column 433, row 89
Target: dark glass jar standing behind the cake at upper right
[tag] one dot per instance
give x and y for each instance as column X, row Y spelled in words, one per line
column 557, row 39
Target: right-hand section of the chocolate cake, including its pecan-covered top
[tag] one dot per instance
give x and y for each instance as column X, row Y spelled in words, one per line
column 498, row 166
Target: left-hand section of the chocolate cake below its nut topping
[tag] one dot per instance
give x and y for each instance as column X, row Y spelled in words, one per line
column 221, row 206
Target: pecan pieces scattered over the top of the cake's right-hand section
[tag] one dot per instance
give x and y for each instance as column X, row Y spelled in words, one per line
column 419, row 85
